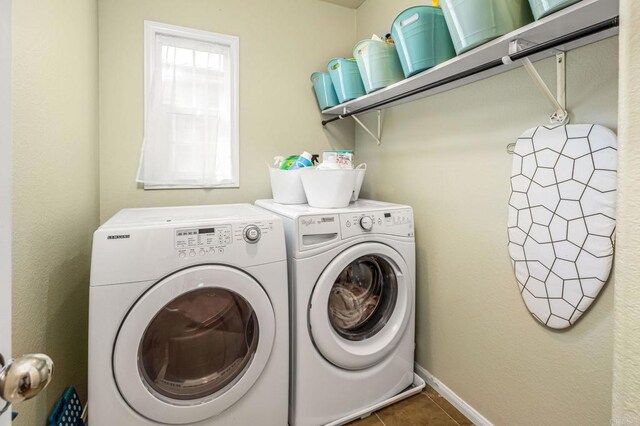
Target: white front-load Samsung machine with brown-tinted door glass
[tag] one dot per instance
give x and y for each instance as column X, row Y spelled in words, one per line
column 188, row 320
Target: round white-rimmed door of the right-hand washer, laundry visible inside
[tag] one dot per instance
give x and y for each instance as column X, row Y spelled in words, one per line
column 361, row 305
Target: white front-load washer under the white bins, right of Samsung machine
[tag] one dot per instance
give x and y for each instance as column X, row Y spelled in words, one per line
column 352, row 291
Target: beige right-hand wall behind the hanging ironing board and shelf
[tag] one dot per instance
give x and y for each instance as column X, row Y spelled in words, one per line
column 445, row 155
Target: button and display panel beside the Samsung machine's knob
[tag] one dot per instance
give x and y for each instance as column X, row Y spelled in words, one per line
column 191, row 242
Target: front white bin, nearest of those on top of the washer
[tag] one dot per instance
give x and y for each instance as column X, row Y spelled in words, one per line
column 329, row 189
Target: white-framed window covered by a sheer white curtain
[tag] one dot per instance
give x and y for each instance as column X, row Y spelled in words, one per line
column 191, row 109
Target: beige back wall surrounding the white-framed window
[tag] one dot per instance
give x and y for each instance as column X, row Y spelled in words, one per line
column 281, row 43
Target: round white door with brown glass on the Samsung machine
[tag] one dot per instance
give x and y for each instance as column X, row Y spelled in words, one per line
column 194, row 344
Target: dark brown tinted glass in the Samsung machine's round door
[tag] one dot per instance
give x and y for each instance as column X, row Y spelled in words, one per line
column 198, row 343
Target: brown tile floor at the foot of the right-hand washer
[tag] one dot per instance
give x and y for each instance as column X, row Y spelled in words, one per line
column 425, row 408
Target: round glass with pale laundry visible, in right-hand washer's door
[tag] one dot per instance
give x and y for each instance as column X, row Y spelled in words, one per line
column 363, row 297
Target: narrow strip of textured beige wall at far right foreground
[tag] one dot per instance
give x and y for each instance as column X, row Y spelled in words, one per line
column 626, row 366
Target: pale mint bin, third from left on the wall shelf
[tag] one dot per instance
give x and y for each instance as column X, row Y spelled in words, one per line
column 378, row 63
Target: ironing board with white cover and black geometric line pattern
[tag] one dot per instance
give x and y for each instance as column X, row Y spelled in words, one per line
column 562, row 218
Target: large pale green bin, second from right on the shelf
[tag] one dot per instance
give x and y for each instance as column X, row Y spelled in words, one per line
column 475, row 22
